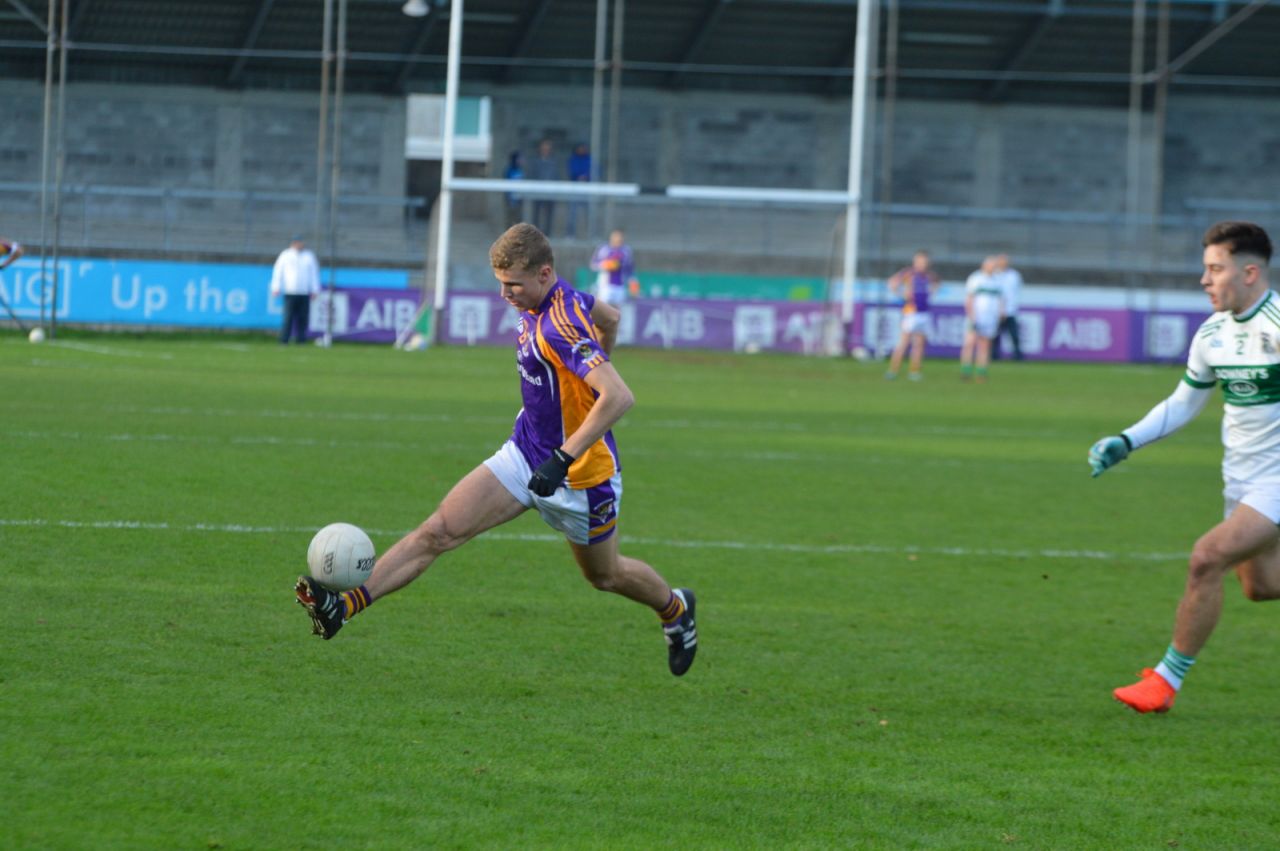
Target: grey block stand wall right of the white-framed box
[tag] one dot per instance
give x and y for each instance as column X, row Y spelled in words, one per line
column 1054, row 158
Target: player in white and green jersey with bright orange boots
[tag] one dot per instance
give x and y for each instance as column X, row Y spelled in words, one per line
column 1240, row 349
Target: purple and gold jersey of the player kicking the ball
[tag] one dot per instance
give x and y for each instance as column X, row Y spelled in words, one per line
column 557, row 346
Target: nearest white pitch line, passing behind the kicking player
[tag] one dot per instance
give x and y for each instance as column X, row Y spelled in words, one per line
column 770, row 547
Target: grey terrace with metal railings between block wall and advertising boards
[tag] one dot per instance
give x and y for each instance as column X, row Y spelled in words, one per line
column 678, row 235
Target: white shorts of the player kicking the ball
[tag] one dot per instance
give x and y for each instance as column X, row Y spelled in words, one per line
column 584, row 516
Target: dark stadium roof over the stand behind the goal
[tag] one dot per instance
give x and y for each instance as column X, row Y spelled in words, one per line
column 994, row 51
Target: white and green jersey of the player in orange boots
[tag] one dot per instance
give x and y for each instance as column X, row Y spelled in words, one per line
column 1244, row 355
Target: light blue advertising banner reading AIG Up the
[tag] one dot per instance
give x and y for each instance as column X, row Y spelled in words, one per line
column 147, row 292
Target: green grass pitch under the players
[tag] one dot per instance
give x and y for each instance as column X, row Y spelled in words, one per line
column 915, row 603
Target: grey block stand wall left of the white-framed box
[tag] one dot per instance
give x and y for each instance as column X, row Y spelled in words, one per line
column 191, row 139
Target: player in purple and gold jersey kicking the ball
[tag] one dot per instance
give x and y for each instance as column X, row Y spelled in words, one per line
column 561, row 459
